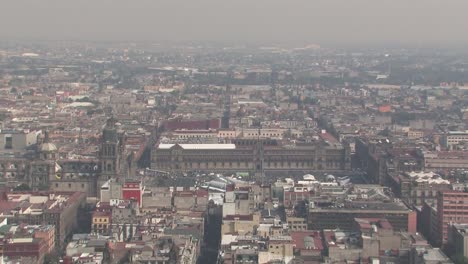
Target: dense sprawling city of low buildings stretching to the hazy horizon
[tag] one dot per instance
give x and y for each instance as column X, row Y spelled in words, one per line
column 209, row 153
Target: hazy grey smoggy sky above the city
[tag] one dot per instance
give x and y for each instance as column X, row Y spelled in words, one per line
column 415, row 22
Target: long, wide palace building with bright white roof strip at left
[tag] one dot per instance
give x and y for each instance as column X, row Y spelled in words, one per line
column 251, row 156
